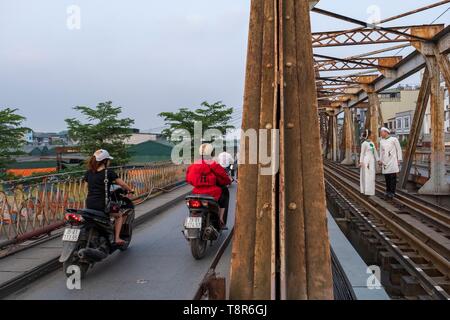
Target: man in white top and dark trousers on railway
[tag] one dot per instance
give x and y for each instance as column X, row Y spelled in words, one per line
column 390, row 158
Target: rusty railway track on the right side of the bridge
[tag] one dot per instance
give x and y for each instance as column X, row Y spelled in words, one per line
column 413, row 238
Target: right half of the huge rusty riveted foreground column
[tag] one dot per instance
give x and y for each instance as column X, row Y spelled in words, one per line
column 304, row 244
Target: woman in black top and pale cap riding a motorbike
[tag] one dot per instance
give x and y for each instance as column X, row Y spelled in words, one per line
column 96, row 178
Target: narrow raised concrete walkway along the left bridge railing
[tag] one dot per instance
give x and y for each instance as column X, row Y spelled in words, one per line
column 17, row 264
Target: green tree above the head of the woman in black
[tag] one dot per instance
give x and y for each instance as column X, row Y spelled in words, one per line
column 104, row 130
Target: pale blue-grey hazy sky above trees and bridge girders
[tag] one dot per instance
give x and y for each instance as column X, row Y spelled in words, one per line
column 147, row 56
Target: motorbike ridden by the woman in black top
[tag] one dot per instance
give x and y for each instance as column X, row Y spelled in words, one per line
column 89, row 235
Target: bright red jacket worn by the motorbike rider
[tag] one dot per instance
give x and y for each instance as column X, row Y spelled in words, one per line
column 207, row 177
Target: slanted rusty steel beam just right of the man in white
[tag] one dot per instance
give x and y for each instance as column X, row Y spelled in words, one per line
column 416, row 128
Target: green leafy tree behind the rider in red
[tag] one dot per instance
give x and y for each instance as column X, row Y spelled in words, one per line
column 211, row 116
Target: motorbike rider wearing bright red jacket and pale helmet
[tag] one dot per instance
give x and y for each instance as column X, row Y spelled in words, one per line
column 209, row 178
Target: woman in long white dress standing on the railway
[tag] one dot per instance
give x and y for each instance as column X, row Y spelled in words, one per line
column 367, row 163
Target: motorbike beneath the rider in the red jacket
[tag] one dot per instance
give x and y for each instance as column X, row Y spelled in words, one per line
column 203, row 223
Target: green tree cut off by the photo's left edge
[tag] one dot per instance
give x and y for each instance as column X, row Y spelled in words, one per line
column 12, row 134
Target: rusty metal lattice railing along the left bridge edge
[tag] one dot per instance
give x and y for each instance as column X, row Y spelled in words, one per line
column 34, row 206
